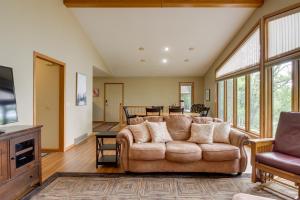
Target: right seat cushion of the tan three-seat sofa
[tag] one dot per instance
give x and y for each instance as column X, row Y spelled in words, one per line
column 219, row 152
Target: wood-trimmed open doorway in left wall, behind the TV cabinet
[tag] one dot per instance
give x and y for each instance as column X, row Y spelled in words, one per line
column 48, row 101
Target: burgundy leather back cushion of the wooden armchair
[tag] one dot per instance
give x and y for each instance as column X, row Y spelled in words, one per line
column 287, row 139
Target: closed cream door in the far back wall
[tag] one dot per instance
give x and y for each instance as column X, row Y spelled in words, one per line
column 113, row 99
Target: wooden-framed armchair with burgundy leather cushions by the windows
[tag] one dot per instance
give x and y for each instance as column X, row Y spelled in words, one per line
column 279, row 156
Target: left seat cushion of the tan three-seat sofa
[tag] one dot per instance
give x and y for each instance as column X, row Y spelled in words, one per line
column 147, row 151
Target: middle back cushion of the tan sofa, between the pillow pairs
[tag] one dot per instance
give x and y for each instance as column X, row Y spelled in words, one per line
column 179, row 126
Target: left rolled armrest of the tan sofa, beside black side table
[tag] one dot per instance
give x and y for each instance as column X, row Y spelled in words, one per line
column 125, row 139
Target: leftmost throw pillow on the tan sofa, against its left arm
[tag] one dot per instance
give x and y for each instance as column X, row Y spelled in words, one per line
column 140, row 132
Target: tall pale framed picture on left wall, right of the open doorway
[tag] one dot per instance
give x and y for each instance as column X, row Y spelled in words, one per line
column 81, row 89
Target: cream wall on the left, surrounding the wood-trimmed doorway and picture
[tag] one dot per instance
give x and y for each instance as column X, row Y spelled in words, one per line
column 48, row 27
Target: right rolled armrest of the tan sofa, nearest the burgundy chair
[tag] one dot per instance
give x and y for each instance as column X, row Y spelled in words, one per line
column 240, row 139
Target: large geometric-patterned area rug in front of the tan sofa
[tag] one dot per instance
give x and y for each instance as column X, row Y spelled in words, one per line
column 153, row 186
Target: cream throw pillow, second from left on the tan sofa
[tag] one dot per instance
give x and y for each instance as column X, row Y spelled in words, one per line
column 159, row 132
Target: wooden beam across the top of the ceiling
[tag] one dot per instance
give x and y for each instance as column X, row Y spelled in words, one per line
column 162, row 3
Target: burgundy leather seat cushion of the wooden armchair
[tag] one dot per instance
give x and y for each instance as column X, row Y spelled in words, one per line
column 280, row 161
